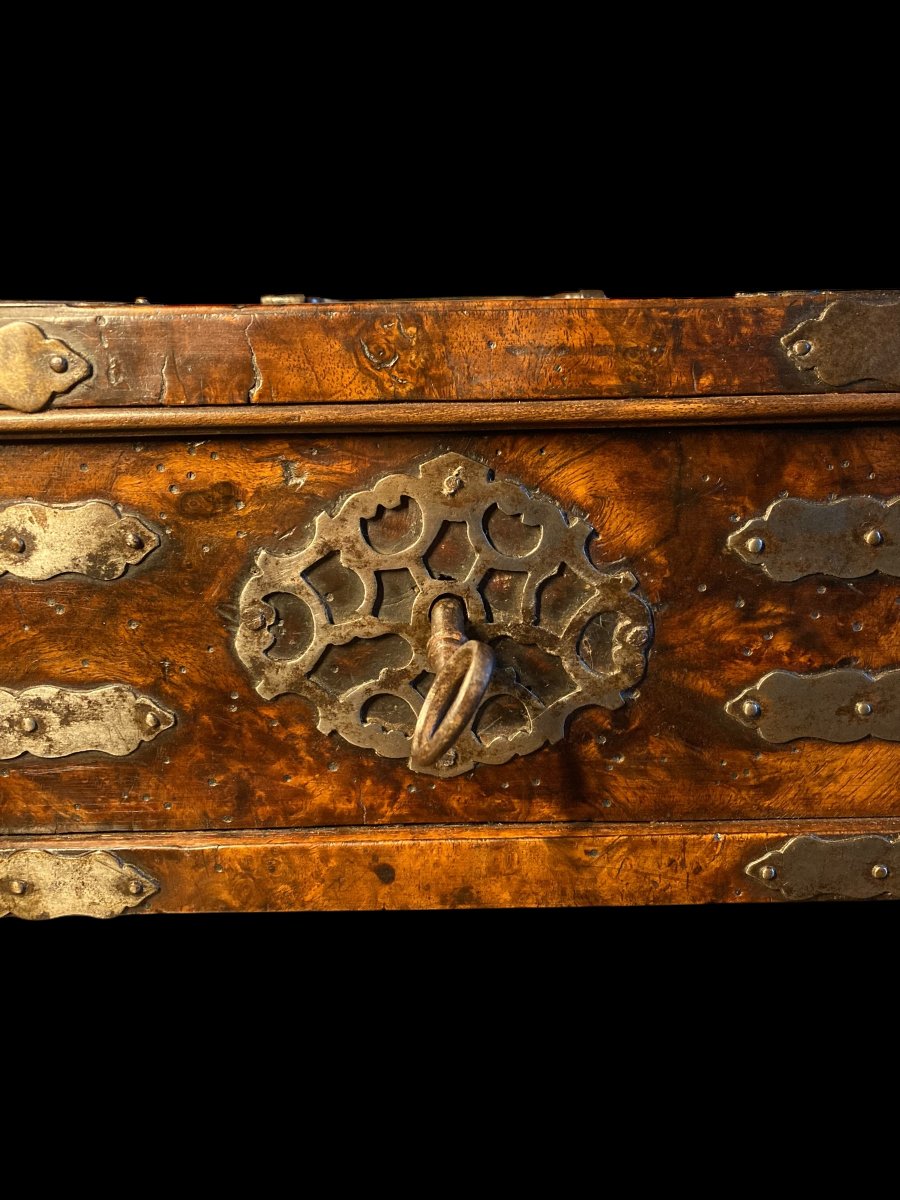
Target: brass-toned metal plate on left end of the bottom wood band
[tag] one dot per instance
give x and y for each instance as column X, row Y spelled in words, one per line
column 38, row 885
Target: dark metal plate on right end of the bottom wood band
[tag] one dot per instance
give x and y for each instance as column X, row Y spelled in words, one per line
column 839, row 868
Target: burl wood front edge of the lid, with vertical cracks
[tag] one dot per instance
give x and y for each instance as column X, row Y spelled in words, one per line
column 481, row 350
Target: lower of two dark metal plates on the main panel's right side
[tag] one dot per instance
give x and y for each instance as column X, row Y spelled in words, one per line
column 833, row 706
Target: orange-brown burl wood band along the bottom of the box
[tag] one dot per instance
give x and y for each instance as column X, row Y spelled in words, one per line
column 453, row 868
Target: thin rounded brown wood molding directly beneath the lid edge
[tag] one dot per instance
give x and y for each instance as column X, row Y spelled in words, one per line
column 423, row 416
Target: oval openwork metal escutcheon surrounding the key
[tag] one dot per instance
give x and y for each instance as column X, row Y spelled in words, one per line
column 347, row 622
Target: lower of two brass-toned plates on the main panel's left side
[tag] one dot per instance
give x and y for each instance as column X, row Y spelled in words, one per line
column 52, row 723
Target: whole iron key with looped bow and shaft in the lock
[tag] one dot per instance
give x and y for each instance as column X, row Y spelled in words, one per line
column 463, row 673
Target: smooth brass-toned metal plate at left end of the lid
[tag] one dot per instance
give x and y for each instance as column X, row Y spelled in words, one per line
column 34, row 368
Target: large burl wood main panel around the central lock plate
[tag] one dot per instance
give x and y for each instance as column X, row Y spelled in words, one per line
column 664, row 502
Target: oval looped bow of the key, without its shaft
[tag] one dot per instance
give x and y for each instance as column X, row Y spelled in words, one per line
column 453, row 701
